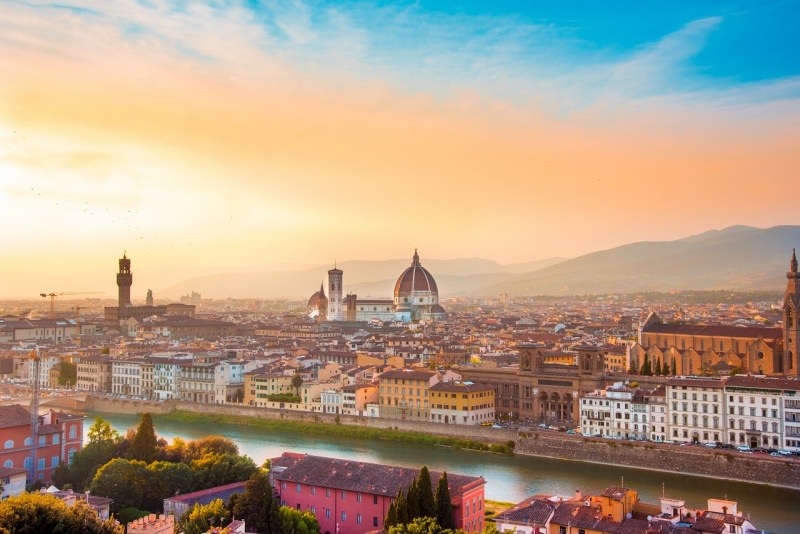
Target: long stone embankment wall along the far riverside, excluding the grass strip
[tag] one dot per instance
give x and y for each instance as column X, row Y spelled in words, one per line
column 687, row 460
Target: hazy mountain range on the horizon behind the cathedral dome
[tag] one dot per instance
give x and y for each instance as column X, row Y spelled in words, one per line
column 739, row 258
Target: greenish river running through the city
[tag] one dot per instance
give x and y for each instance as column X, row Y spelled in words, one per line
column 508, row 478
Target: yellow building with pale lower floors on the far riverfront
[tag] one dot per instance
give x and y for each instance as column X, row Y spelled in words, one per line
column 461, row 403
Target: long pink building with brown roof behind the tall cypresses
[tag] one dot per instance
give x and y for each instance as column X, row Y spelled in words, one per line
column 350, row 497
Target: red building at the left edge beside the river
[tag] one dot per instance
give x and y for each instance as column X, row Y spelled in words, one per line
column 60, row 436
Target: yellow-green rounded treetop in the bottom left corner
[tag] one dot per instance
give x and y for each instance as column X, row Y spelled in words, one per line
column 33, row 513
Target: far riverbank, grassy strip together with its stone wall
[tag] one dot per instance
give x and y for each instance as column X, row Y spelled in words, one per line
column 656, row 457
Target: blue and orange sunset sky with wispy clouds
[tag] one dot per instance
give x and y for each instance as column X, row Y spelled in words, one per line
column 206, row 137
